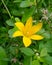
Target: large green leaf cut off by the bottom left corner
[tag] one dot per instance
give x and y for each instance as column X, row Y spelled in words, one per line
column 2, row 56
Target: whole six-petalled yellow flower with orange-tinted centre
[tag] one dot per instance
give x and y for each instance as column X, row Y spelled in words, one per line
column 28, row 31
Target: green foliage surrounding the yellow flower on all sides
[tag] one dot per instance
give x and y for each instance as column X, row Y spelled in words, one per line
column 12, row 50
